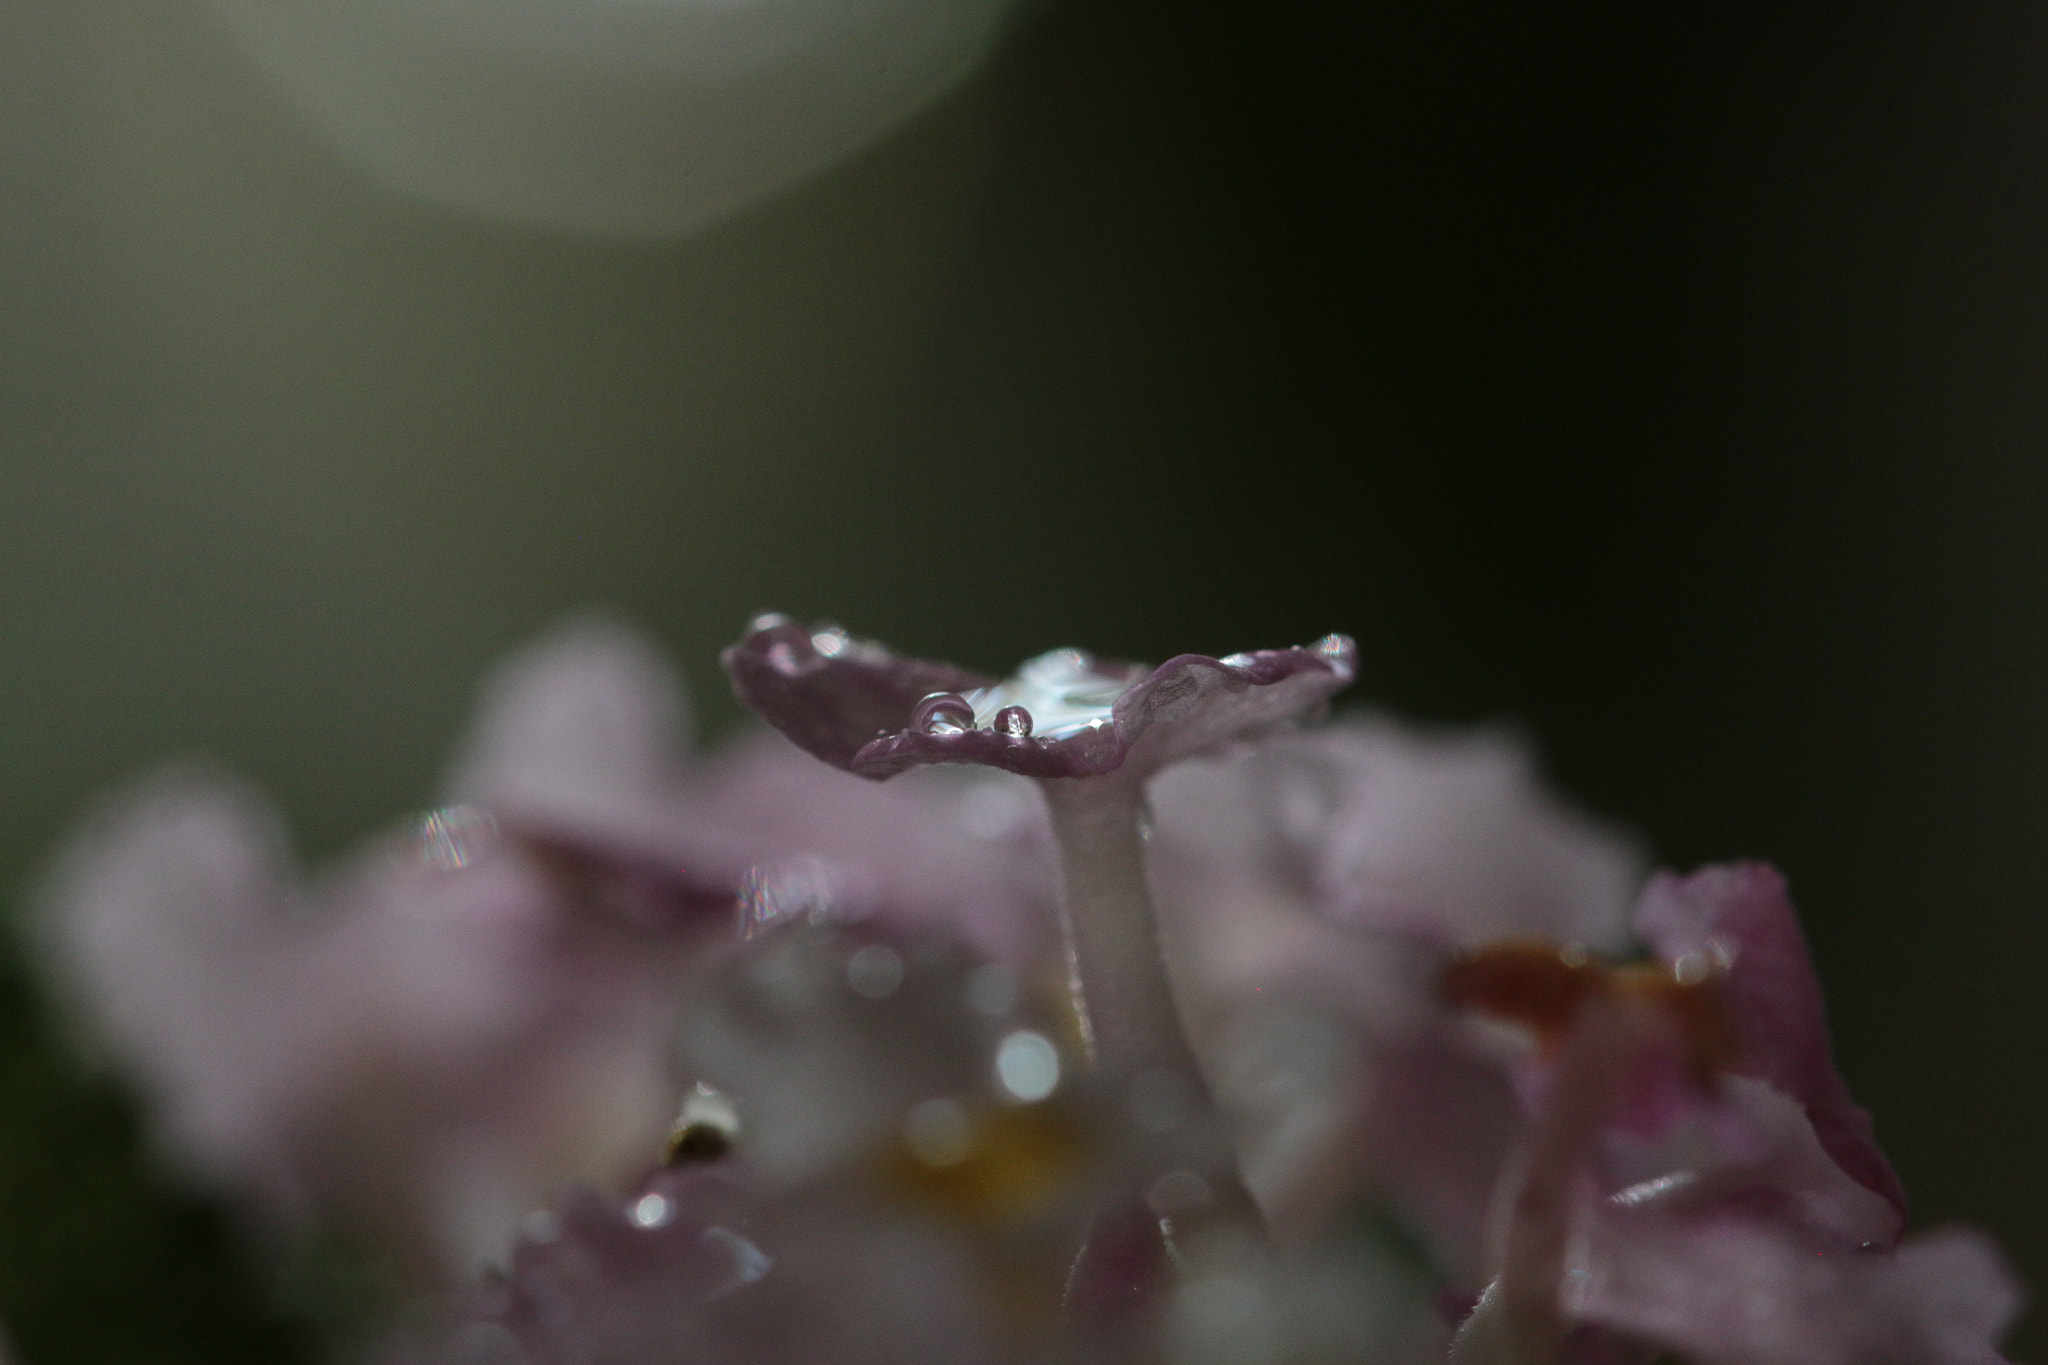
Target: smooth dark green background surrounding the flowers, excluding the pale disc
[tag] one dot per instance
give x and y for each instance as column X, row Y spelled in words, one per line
column 1668, row 382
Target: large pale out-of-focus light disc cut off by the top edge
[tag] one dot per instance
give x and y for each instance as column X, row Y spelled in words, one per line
column 617, row 118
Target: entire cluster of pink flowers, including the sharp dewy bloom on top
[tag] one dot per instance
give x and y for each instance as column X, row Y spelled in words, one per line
column 1097, row 1014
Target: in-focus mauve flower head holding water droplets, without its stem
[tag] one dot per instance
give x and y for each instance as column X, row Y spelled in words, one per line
column 1064, row 715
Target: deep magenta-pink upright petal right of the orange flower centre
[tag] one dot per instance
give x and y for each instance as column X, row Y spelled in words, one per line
column 1744, row 916
